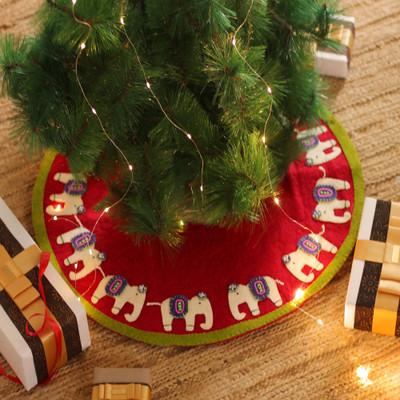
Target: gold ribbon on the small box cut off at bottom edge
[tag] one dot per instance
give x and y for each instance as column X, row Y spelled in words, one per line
column 127, row 391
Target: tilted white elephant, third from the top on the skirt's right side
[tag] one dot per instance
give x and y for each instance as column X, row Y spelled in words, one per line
column 308, row 249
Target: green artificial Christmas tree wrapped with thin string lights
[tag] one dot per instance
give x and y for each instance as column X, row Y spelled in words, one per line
column 187, row 109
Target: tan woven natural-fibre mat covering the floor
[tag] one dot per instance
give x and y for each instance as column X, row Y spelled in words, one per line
column 294, row 358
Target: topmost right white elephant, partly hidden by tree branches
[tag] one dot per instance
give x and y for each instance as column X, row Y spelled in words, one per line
column 315, row 149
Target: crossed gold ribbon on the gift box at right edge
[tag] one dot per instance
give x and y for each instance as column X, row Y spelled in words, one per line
column 388, row 296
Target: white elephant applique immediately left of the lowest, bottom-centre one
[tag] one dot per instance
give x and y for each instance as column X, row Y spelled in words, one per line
column 117, row 287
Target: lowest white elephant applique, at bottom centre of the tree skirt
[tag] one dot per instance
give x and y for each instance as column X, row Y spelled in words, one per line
column 181, row 307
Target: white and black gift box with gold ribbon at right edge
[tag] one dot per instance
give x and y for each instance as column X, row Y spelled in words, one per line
column 373, row 297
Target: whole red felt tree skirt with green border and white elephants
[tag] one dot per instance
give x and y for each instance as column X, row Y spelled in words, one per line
column 219, row 264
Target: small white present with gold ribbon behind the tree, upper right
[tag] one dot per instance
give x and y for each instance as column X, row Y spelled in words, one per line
column 334, row 62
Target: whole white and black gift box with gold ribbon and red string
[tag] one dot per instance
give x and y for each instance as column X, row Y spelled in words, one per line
column 34, row 350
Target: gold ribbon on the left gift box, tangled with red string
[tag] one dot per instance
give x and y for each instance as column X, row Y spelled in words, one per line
column 28, row 300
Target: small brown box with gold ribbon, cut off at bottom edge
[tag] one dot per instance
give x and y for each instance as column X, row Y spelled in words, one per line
column 121, row 384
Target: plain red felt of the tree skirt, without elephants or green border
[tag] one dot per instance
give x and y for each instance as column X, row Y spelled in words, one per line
column 211, row 258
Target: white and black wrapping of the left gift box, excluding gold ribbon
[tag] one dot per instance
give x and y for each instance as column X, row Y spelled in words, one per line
column 21, row 356
